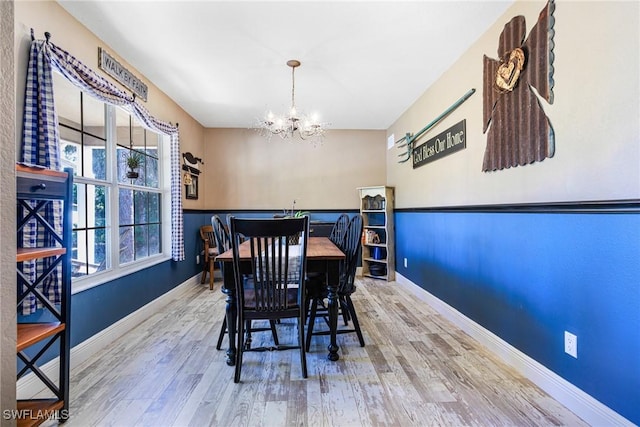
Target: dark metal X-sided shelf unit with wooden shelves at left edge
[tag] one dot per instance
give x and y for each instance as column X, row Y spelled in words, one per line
column 37, row 190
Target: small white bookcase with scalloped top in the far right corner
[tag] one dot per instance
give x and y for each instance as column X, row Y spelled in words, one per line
column 378, row 250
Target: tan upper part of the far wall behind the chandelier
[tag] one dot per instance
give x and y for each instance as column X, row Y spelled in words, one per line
column 243, row 170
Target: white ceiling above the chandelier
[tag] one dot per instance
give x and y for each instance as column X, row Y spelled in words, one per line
column 363, row 62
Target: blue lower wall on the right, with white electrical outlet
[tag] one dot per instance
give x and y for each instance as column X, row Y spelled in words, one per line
column 529, row 276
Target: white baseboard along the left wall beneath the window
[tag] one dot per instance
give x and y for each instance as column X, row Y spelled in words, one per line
column 30, row 385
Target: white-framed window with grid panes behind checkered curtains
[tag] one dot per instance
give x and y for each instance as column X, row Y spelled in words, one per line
column 118, row 223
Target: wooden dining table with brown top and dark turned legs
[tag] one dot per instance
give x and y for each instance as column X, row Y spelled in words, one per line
column 322, row 257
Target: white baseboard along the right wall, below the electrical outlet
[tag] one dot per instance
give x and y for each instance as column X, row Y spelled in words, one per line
column 580, row 403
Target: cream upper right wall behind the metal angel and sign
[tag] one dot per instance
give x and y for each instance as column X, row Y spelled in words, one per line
column 595, row 115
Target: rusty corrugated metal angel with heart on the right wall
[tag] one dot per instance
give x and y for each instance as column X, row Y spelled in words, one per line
column 518, row 130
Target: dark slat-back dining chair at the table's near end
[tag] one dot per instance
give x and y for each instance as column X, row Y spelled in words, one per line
column 270, row 285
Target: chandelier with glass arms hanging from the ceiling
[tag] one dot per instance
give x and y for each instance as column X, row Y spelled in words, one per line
column 288, row 124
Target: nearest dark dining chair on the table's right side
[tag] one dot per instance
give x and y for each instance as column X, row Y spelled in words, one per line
column 317, row 291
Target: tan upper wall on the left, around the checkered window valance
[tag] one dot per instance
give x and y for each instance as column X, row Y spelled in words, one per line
column 69, row 34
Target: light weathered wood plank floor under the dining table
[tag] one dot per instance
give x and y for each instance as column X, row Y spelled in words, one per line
column 416, row 370
